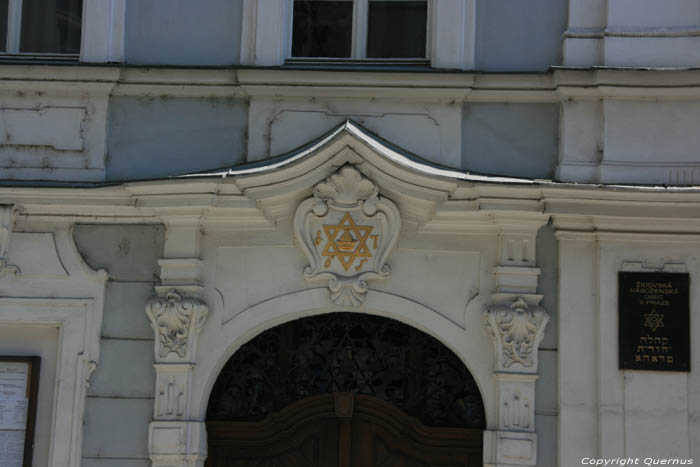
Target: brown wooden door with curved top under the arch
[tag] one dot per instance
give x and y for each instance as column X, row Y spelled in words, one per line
column 341, row 430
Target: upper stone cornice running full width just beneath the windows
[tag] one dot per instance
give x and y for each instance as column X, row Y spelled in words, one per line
column 553, row 86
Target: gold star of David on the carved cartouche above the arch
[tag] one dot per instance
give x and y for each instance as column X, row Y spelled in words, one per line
column 347, row 242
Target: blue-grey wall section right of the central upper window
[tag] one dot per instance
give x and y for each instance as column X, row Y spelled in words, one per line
column 517, row 35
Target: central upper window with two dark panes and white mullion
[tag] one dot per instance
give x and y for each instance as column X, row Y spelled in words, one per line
column 360, row 29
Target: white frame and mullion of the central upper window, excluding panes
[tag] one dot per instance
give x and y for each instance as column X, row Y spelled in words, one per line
column 358, row 46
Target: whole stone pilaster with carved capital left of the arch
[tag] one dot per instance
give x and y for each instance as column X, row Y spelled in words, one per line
column 177, row 315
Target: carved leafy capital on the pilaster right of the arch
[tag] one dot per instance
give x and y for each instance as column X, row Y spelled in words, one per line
column 517, row 330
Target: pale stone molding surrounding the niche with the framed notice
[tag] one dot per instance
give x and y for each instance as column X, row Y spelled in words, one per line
column 72, row 301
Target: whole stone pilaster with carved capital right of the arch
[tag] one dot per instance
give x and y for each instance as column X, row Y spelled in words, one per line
column 516, row 323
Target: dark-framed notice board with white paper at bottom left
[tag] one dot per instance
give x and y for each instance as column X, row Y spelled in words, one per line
column 19, row 387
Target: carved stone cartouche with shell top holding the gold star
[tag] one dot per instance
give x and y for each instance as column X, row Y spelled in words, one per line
column 347, row 231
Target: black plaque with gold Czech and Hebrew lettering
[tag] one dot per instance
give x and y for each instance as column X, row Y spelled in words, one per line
column 654, row 311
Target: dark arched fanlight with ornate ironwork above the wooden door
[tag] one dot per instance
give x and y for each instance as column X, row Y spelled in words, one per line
column 347, row 352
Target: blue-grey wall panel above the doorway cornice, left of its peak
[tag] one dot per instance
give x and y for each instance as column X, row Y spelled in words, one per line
column 158, row 137
